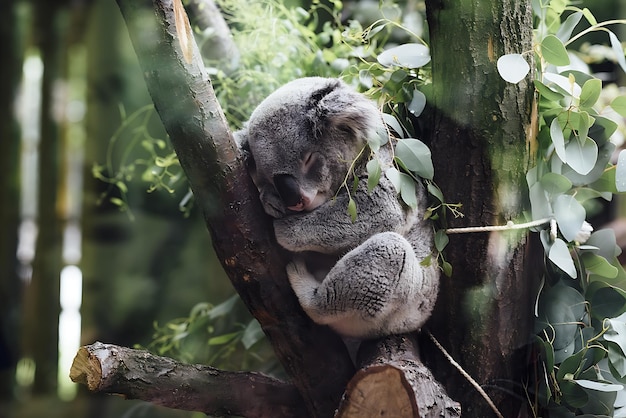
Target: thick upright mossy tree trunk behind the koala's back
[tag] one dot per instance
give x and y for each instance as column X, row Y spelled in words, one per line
column 480, row 130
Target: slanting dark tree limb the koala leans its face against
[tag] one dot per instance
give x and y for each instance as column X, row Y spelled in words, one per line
column 241, row 232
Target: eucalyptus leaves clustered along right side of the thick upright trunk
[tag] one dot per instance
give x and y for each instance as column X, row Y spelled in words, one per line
column 582, row 305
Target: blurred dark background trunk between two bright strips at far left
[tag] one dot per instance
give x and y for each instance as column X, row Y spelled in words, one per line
column 42, row 295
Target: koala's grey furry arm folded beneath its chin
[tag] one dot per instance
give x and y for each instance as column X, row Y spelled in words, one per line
column 329, row 229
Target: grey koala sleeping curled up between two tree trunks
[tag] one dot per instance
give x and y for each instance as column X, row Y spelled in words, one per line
column 363, row 278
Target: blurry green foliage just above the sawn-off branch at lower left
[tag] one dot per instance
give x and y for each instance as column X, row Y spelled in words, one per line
column 215, row 335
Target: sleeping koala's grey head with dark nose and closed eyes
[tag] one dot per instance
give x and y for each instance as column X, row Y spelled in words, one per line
column 301, row 141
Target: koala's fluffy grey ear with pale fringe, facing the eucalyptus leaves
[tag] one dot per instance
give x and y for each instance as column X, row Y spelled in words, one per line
column 336, row 107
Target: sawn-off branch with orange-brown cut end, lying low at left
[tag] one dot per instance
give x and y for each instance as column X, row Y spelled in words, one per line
column 137, row 374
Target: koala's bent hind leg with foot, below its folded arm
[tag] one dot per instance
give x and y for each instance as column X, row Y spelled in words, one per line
column 379, row 288
